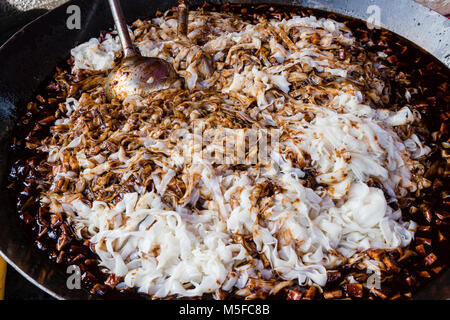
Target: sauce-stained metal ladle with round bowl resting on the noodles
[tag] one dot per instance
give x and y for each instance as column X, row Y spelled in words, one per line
column 137, row 75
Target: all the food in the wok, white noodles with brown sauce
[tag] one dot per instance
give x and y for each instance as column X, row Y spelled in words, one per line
column 294, row 158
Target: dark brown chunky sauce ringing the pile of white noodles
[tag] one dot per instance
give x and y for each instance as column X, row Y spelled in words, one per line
column 424, row 72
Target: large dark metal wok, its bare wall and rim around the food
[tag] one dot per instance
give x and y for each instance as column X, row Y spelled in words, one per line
column 31, row 55
